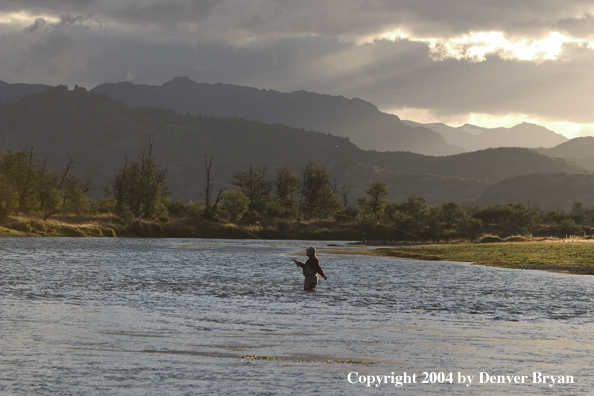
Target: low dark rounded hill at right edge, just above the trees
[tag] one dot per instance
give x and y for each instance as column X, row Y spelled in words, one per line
column 542, row 190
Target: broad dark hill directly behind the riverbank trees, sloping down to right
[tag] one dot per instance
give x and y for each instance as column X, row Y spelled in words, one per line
column 98, row 132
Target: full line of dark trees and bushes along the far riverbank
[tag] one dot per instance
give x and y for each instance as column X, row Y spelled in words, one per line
column 259, row 197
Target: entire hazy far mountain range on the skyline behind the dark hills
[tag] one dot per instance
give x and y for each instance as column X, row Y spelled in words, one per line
column 360, row 121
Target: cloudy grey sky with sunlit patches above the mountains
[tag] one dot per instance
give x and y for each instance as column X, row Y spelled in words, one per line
column 483, row 62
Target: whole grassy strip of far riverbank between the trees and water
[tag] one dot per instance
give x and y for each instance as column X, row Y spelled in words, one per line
column 573, row 255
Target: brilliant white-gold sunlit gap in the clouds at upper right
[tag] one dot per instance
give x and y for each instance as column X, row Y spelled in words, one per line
column 474, row 47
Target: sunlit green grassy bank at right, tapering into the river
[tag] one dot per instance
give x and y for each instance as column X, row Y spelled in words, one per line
column 560, row 255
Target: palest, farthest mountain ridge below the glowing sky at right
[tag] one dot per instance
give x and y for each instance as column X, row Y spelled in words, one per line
column 473, row 138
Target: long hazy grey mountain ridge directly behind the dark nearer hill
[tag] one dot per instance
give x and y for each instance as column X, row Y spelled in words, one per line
column 360, row 121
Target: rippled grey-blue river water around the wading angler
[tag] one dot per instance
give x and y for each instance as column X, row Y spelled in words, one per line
column 186, row 317
